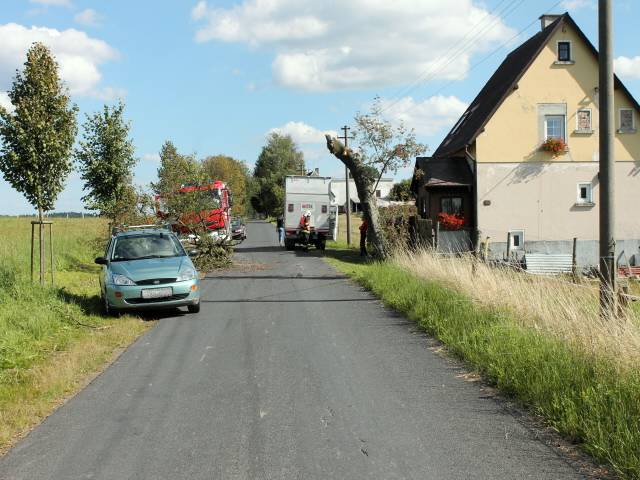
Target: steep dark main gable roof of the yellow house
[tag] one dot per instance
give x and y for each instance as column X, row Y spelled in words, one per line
column 503, row 82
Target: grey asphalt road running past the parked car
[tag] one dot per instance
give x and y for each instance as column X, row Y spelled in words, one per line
column 289, row 371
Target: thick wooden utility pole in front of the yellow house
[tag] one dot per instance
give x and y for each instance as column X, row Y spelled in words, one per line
column 607, row 161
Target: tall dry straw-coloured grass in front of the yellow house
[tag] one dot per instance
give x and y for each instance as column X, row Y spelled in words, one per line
column 553, row 305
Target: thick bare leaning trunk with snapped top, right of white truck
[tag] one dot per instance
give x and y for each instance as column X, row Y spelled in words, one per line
column 364, row 184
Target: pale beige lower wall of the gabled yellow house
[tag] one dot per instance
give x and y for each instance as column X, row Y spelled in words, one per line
column 540, row 197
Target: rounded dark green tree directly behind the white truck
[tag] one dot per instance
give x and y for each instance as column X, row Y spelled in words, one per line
column 279, row 157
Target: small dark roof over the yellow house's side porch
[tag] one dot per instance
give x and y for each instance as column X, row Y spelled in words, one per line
column 442, row 172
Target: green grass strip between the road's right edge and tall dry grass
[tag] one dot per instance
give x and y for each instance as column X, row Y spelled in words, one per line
column 589, row 401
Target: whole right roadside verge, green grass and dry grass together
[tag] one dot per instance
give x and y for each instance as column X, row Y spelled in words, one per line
column 552, row 355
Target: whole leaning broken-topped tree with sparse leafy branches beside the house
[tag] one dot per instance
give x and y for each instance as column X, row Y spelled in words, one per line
column 382, row 148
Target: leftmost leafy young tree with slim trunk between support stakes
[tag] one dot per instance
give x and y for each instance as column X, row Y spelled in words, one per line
column 37, row 138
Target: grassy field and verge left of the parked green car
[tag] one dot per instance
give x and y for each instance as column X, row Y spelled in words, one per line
column 52, row 339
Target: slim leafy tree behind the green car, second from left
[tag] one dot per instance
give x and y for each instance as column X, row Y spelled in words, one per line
column 106, row 159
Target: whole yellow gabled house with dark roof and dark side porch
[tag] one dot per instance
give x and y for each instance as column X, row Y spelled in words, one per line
column 497, row 168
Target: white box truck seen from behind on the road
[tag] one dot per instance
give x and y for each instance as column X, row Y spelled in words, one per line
column 309, row 194
